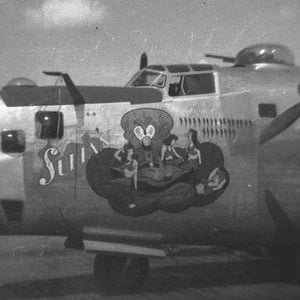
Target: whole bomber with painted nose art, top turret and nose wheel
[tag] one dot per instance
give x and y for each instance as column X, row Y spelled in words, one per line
column 185, row 154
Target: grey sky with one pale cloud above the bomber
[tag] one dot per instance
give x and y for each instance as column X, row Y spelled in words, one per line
column 99, row 42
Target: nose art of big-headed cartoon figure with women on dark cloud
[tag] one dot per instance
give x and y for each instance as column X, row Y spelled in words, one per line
column 150, row 173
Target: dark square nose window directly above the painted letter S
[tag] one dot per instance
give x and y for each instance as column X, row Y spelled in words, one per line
column 49, row 124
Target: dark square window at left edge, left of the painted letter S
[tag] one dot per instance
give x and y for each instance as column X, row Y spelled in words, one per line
column 13, row 141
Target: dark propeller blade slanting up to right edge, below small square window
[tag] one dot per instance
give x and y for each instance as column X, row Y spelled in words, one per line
column 280, row 123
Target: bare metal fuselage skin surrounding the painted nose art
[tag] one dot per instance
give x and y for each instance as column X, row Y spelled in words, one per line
column 57, row 203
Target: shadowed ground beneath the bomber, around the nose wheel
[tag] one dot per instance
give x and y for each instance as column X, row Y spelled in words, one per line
column 39, row 268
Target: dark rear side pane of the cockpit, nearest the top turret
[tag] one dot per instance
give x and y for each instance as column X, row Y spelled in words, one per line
column 199, row 84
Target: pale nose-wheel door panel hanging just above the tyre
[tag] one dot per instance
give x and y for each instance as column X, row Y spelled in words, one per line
column 120, row 241
